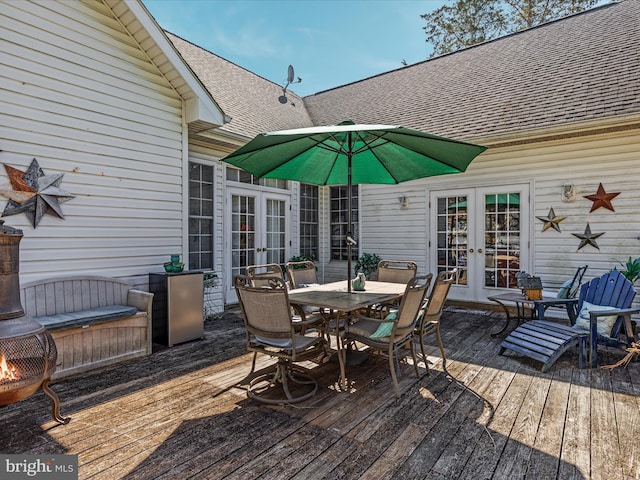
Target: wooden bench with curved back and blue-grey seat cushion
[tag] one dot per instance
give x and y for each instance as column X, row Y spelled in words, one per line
column 95, row 321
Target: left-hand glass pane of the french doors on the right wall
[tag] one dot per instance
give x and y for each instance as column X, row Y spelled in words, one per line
column 452, row 236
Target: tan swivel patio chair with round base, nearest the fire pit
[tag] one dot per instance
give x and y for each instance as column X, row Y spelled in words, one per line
column 270, row 330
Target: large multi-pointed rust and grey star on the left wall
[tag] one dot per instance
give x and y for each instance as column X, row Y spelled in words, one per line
column 34, row 193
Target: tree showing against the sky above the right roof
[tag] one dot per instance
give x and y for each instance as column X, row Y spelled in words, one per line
column 469, row 22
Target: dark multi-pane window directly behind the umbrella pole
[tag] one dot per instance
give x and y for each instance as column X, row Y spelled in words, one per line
column 340, row 221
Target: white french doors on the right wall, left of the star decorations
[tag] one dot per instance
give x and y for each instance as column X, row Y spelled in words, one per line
column 484, row 233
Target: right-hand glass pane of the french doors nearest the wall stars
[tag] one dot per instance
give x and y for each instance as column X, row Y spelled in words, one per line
column 502, row 239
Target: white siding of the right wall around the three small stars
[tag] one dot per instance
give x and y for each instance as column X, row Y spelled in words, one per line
column 612, row 158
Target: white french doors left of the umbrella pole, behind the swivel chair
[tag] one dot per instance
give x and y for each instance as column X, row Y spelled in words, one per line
column 257, row 232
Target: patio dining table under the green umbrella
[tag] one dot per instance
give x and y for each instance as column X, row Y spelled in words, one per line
column 336, row 298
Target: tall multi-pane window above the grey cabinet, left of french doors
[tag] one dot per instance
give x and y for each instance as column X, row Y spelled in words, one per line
column 200, row 216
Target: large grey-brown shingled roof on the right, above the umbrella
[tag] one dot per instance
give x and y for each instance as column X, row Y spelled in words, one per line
column 580, row 68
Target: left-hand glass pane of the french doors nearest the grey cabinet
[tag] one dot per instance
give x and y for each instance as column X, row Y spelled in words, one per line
column 242, row 233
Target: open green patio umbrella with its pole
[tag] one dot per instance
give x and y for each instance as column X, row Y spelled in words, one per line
column 351, row 154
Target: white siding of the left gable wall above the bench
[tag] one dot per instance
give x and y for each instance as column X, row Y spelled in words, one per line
column 79, row 95
